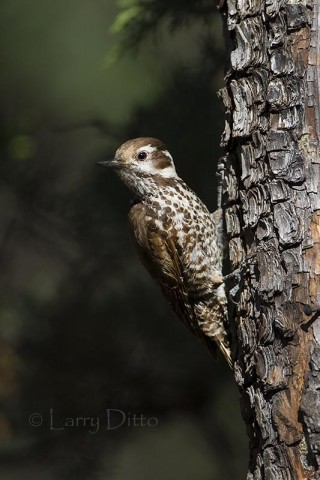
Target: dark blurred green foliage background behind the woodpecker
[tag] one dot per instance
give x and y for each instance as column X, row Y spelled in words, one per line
column 83, row 328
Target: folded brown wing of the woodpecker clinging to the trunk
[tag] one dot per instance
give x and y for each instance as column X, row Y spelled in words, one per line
column 161, row 258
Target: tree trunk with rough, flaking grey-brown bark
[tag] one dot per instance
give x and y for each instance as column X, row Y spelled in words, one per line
column 271, row 203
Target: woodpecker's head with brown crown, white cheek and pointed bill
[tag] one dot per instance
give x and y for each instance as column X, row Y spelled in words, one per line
column 142, row 162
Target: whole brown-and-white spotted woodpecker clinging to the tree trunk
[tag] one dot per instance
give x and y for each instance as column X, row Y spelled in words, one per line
column 178, row 241
